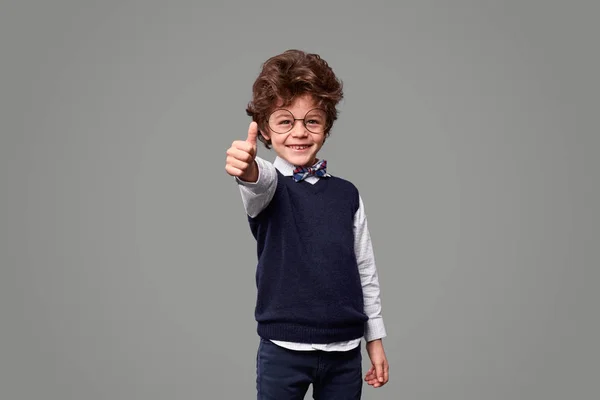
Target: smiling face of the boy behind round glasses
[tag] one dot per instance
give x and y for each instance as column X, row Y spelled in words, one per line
column 299, row 146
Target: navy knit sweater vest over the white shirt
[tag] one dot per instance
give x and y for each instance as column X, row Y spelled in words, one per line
column 308, row 283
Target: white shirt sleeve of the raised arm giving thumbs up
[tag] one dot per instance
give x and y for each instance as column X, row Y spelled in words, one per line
column 256, row 196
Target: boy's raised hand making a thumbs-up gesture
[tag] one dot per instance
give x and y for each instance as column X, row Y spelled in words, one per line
column 240, row 156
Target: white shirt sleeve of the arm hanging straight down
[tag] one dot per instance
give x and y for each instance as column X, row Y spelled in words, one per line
column 375, row 328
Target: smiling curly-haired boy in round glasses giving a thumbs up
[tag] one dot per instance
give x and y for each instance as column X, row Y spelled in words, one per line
column 318, row 289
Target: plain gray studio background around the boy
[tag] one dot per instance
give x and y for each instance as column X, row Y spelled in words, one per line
column 126, row 261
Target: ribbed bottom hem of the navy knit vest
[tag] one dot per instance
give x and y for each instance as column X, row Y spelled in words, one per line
column 302, row 334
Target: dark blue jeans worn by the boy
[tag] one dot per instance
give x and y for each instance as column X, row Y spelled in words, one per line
column 283, row 374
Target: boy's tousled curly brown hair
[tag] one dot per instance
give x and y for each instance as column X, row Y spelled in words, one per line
column 287, row 76
